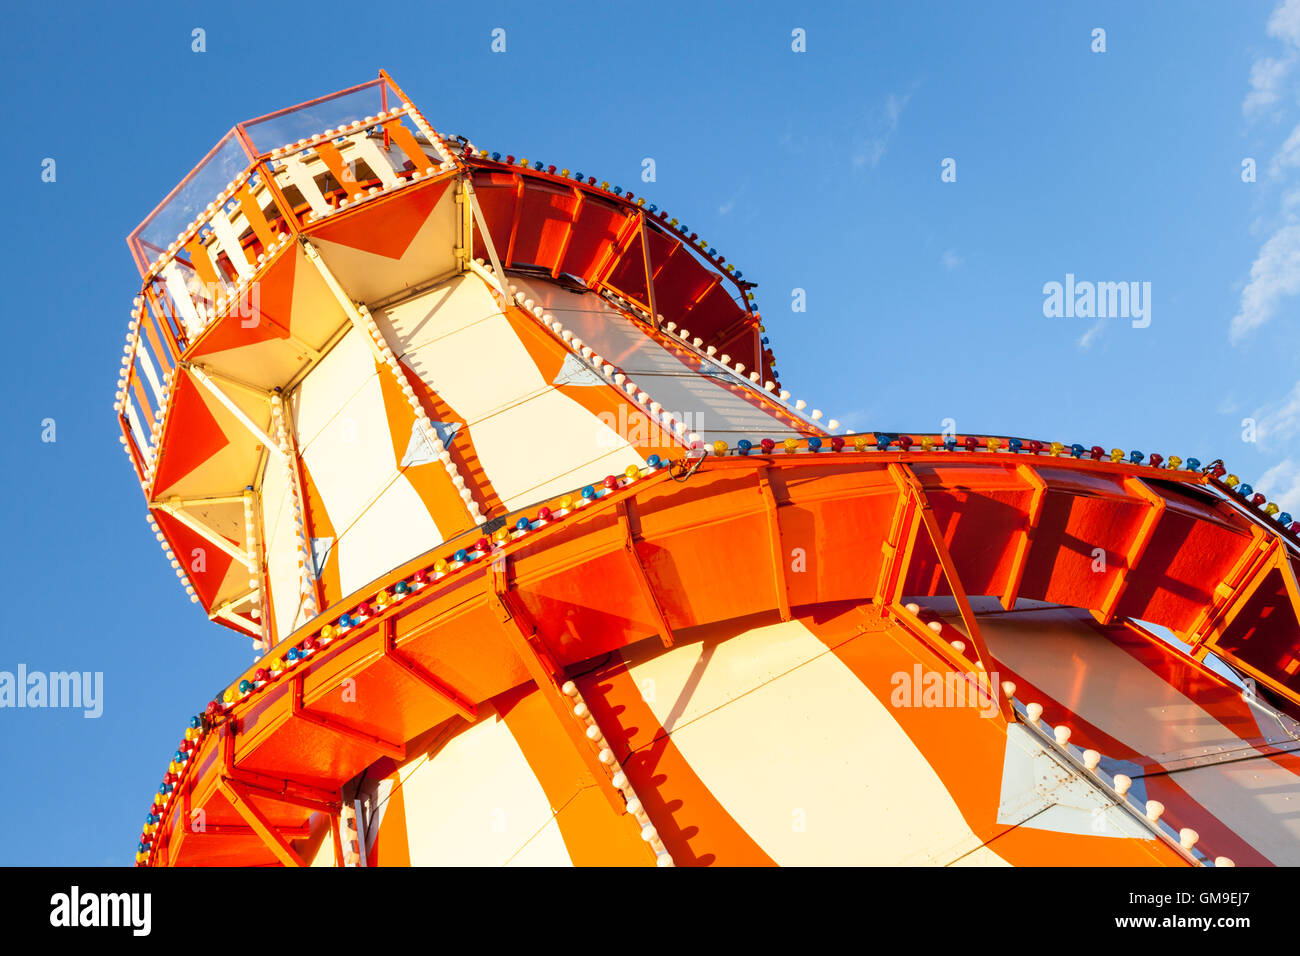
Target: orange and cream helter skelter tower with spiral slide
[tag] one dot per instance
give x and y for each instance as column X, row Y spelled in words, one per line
column 492, row 464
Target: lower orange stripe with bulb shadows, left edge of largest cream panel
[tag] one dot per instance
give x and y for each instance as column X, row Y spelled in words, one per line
column 695, row 827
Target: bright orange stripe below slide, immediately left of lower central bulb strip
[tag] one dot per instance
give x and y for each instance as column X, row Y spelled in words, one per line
column 593, row 834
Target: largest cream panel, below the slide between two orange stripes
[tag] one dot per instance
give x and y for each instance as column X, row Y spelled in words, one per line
column 829, row 755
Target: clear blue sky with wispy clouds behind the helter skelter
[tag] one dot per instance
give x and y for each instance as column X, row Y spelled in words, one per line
column 816, row 171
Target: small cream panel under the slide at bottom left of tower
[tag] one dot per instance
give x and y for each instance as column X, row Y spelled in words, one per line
column 478, row 803
